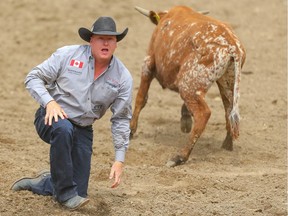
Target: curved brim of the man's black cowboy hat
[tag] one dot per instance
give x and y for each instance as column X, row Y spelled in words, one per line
column 86, row 34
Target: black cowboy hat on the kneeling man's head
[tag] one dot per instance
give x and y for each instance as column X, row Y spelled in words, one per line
column 102, row 26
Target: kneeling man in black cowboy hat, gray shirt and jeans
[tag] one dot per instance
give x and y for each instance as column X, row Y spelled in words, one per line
column 75, row 87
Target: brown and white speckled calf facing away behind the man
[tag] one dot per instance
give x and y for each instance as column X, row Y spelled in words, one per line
column 188, row 52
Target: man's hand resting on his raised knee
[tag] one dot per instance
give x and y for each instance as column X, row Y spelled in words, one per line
column 53, row 110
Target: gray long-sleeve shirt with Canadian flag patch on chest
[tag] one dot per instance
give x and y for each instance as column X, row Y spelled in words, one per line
column 67, row 77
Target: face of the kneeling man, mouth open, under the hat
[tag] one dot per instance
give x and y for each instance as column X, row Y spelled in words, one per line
column 103, row 46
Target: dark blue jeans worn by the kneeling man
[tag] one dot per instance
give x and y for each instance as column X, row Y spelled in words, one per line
column 70, row 157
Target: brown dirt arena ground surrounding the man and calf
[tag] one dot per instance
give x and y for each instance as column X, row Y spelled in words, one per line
column 251, row 180
